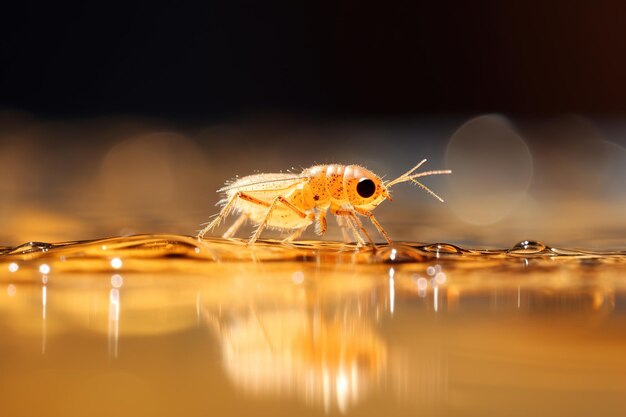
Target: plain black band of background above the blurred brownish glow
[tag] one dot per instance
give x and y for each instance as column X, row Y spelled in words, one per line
column 343, row 58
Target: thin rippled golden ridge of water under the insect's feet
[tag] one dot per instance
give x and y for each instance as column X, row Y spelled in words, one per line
column 187, row 253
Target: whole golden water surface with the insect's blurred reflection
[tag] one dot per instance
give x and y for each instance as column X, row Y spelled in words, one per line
column 163, row 325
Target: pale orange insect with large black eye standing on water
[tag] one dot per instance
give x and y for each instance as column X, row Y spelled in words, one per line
column 293, row 201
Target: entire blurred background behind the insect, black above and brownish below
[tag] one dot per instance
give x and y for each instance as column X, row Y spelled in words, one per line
column 118, row 120
